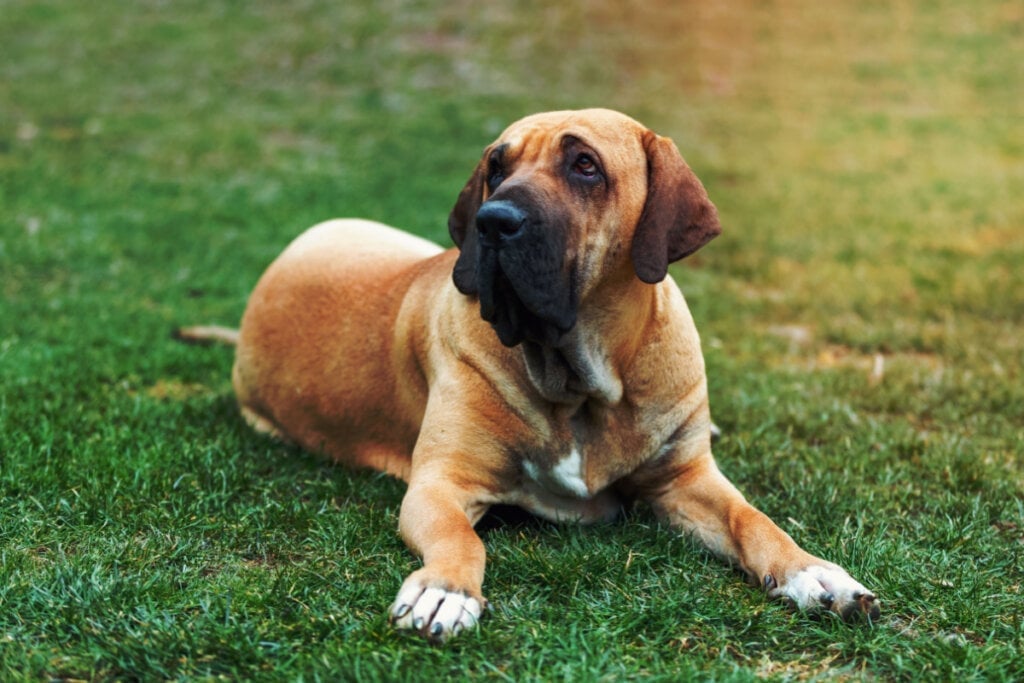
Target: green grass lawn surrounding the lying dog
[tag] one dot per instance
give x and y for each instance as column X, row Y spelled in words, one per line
column 863, row 318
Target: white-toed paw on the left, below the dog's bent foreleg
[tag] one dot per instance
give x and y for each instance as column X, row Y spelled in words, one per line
column 437, row 614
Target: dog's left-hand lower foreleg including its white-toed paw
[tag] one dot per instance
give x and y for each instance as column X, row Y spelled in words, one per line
column 437, row 522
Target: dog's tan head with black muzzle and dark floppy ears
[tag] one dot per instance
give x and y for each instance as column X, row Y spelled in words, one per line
column 563, row 202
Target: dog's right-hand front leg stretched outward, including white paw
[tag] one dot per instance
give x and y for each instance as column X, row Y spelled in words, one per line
column 698, row 498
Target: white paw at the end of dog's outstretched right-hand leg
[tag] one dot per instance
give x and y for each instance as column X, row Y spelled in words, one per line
column 825, row 587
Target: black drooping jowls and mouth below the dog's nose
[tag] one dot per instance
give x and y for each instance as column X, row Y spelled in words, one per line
column 524, row 297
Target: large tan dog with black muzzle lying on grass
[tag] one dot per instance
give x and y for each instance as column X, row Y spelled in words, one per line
column 548, row 363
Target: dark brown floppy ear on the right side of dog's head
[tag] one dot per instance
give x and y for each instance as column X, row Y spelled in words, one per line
column 678, row 219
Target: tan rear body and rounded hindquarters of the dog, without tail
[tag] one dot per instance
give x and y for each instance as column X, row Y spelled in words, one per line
column 339, row 280
